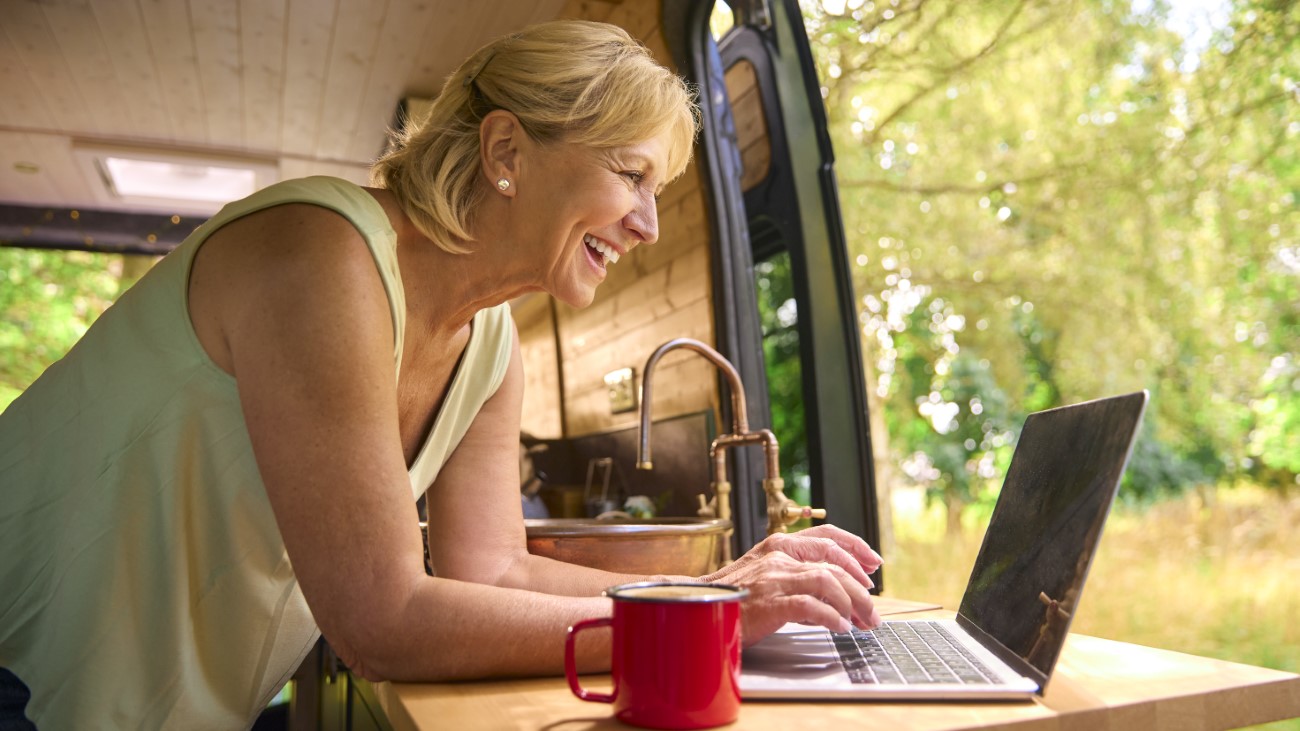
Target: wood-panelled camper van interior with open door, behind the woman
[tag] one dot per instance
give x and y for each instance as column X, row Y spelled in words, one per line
column 258, row 92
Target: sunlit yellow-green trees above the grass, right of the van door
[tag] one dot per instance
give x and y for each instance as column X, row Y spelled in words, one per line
column 1094, row 197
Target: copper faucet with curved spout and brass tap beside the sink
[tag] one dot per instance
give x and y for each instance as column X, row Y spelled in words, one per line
column 782, row 512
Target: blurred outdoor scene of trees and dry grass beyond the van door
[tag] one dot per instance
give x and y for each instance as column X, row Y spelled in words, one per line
column 1051, row 202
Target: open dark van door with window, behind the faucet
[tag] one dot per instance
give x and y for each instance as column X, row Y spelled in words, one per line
column 770, row 170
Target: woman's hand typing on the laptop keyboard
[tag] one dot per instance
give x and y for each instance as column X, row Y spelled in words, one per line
column 816, row 577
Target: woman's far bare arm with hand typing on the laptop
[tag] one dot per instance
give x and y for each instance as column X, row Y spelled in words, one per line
column 476, row 533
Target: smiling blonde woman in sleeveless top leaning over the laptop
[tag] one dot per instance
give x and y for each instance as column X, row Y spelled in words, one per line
column 231, row 457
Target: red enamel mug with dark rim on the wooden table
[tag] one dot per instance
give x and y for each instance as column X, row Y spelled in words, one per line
column 675, row 655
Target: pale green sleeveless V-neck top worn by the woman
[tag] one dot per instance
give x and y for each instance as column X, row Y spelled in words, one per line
column 145, row 582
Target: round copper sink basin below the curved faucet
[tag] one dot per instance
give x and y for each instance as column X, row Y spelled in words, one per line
column 688, row 547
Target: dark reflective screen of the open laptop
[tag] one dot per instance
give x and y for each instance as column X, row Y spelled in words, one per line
column 1026, row 583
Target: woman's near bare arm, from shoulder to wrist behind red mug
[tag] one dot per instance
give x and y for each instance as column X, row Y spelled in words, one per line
column 289, row 301
